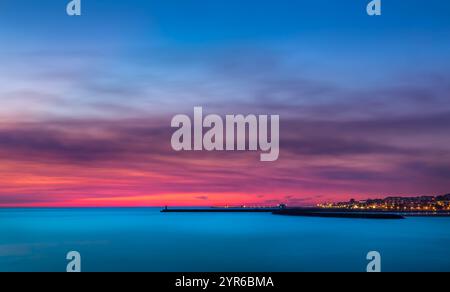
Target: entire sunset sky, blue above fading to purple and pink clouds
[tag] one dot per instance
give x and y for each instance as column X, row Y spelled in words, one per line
column 86, row 102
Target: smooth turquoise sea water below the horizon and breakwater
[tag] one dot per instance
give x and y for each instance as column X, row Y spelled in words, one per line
column 147, row 240
